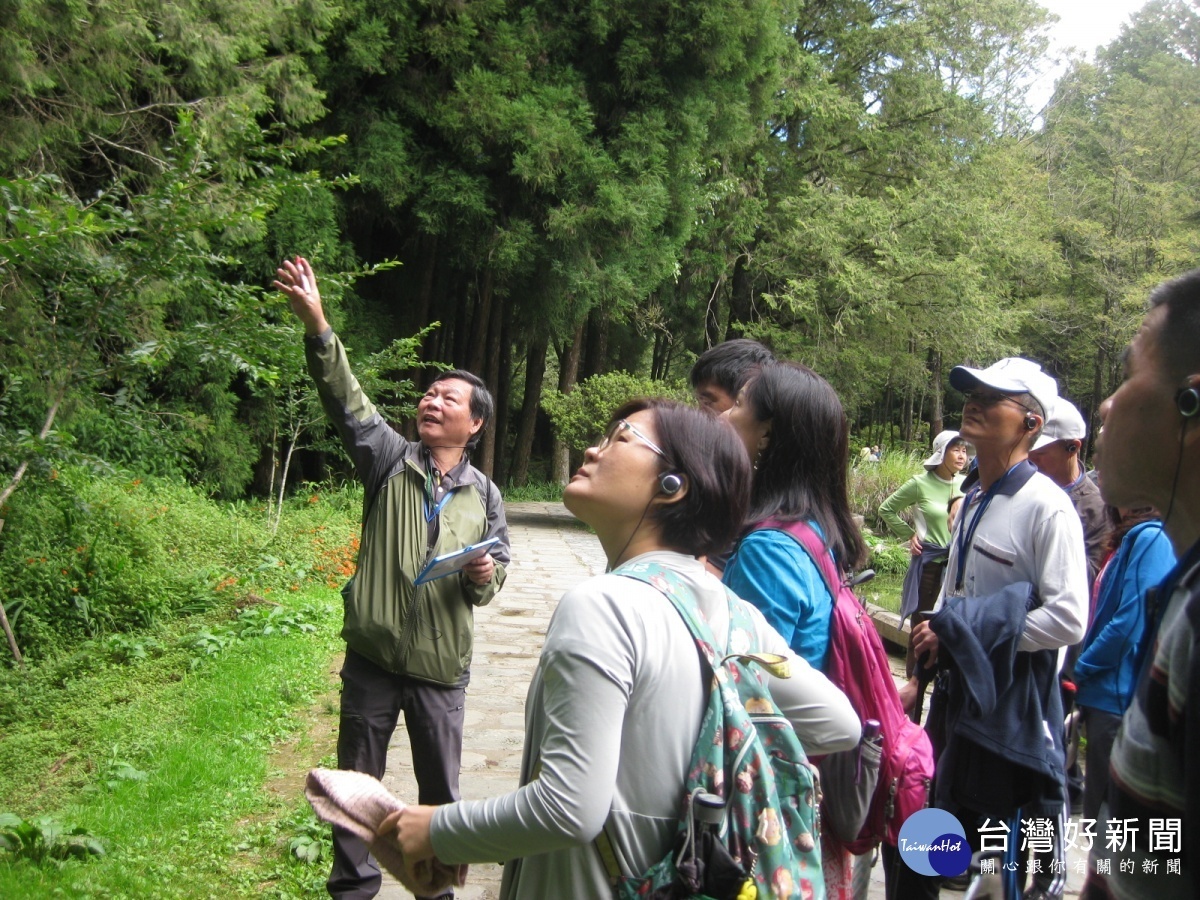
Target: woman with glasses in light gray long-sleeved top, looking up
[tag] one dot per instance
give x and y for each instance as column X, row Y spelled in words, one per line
column 615, row 707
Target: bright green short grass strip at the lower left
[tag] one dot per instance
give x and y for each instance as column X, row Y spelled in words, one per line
column 195, row 819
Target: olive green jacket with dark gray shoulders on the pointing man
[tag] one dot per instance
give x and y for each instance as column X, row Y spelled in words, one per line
column 424, row 632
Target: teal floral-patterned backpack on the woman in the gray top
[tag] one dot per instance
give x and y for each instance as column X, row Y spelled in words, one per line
column 760, row 839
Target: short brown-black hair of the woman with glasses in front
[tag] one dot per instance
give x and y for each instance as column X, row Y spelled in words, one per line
column 709, row 454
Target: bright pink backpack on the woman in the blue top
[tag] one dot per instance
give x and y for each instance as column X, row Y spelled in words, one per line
column 859, row 665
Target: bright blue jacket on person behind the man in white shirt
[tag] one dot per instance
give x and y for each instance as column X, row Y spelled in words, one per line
column 1107, row 669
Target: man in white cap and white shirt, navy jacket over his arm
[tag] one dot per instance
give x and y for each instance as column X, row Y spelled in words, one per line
column 1017, row 536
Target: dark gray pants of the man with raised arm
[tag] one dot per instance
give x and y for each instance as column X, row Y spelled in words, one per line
column 373, row 700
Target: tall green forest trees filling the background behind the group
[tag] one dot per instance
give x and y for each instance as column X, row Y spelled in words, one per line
column 573, row 200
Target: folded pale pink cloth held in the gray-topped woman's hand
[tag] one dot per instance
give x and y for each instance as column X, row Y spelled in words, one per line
column 359, row 805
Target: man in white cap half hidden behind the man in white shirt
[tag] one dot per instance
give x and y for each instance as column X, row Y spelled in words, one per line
column 1057, row 453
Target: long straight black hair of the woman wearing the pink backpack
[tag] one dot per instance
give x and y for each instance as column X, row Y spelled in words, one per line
column 802, row 475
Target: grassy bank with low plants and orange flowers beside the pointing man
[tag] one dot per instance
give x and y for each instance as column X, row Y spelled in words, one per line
column 179, row 747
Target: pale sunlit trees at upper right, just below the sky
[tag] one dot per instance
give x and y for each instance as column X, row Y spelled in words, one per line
column 1118, row 158
